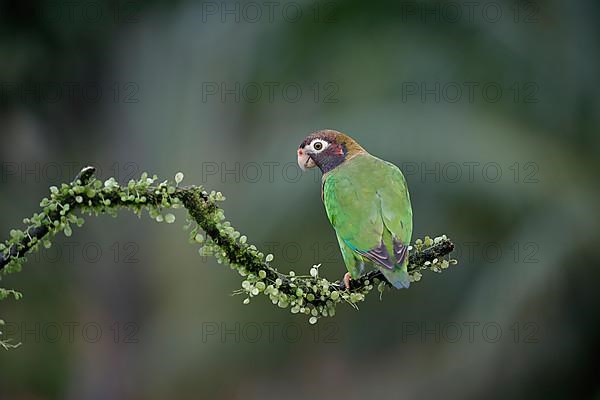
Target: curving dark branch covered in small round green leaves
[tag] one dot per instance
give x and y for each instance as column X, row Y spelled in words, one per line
column 308, row 294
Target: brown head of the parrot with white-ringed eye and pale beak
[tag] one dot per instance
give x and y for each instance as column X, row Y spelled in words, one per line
column 326, row 149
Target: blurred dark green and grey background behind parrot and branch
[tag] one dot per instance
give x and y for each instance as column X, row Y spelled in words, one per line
column 491, row 109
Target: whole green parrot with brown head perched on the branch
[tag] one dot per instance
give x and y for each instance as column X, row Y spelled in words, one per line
column 367, row 203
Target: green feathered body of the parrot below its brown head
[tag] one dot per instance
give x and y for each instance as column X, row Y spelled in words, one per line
column 367, row 203
